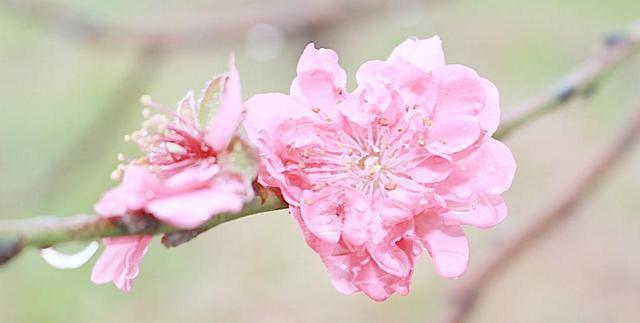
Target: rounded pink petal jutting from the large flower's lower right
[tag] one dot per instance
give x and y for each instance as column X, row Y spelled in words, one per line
column 446, row 243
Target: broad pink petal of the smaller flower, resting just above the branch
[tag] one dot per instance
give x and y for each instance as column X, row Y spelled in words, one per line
column 194, row 208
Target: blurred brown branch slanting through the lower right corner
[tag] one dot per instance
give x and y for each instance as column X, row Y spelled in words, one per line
column 465, row 297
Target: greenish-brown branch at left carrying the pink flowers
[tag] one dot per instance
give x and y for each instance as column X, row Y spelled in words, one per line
column 44, row 232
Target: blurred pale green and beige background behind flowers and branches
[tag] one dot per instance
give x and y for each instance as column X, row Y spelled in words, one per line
column 67, row 100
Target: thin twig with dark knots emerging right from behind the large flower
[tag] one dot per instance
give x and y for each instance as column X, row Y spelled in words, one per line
column 580, row 81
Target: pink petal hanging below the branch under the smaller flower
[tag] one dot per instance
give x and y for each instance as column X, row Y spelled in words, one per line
column 120, row 261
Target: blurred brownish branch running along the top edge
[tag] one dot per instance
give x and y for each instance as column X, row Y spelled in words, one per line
column 207, row 30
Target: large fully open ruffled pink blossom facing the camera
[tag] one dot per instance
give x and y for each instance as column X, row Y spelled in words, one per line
column 398, row 165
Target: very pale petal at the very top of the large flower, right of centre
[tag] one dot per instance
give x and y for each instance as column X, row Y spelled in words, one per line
column 426, row 54
